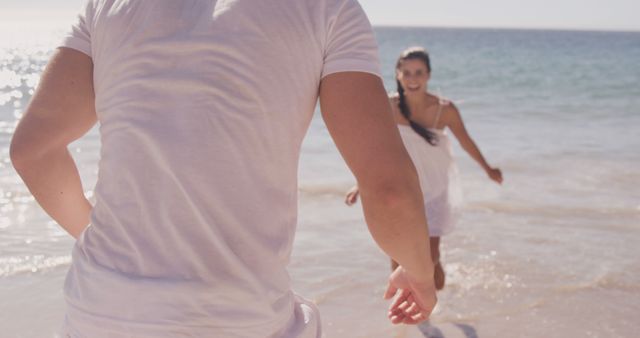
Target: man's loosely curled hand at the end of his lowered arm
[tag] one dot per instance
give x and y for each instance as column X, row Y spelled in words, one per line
column 414, row 300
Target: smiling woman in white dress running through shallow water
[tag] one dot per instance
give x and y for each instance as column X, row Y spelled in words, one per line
column 422, row 119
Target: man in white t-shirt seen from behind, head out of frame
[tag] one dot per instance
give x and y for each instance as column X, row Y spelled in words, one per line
column 202, row 108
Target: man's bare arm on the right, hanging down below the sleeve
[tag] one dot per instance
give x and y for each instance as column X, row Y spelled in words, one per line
column 358, row 115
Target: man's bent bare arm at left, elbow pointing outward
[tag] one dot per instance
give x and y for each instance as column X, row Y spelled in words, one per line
column 61, row 111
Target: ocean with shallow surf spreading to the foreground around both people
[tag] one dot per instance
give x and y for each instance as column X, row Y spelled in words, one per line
column 553, row 252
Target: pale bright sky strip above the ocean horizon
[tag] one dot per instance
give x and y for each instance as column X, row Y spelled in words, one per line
column 539, row 14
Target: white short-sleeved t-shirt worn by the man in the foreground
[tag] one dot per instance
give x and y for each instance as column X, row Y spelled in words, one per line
column 202, row 106
